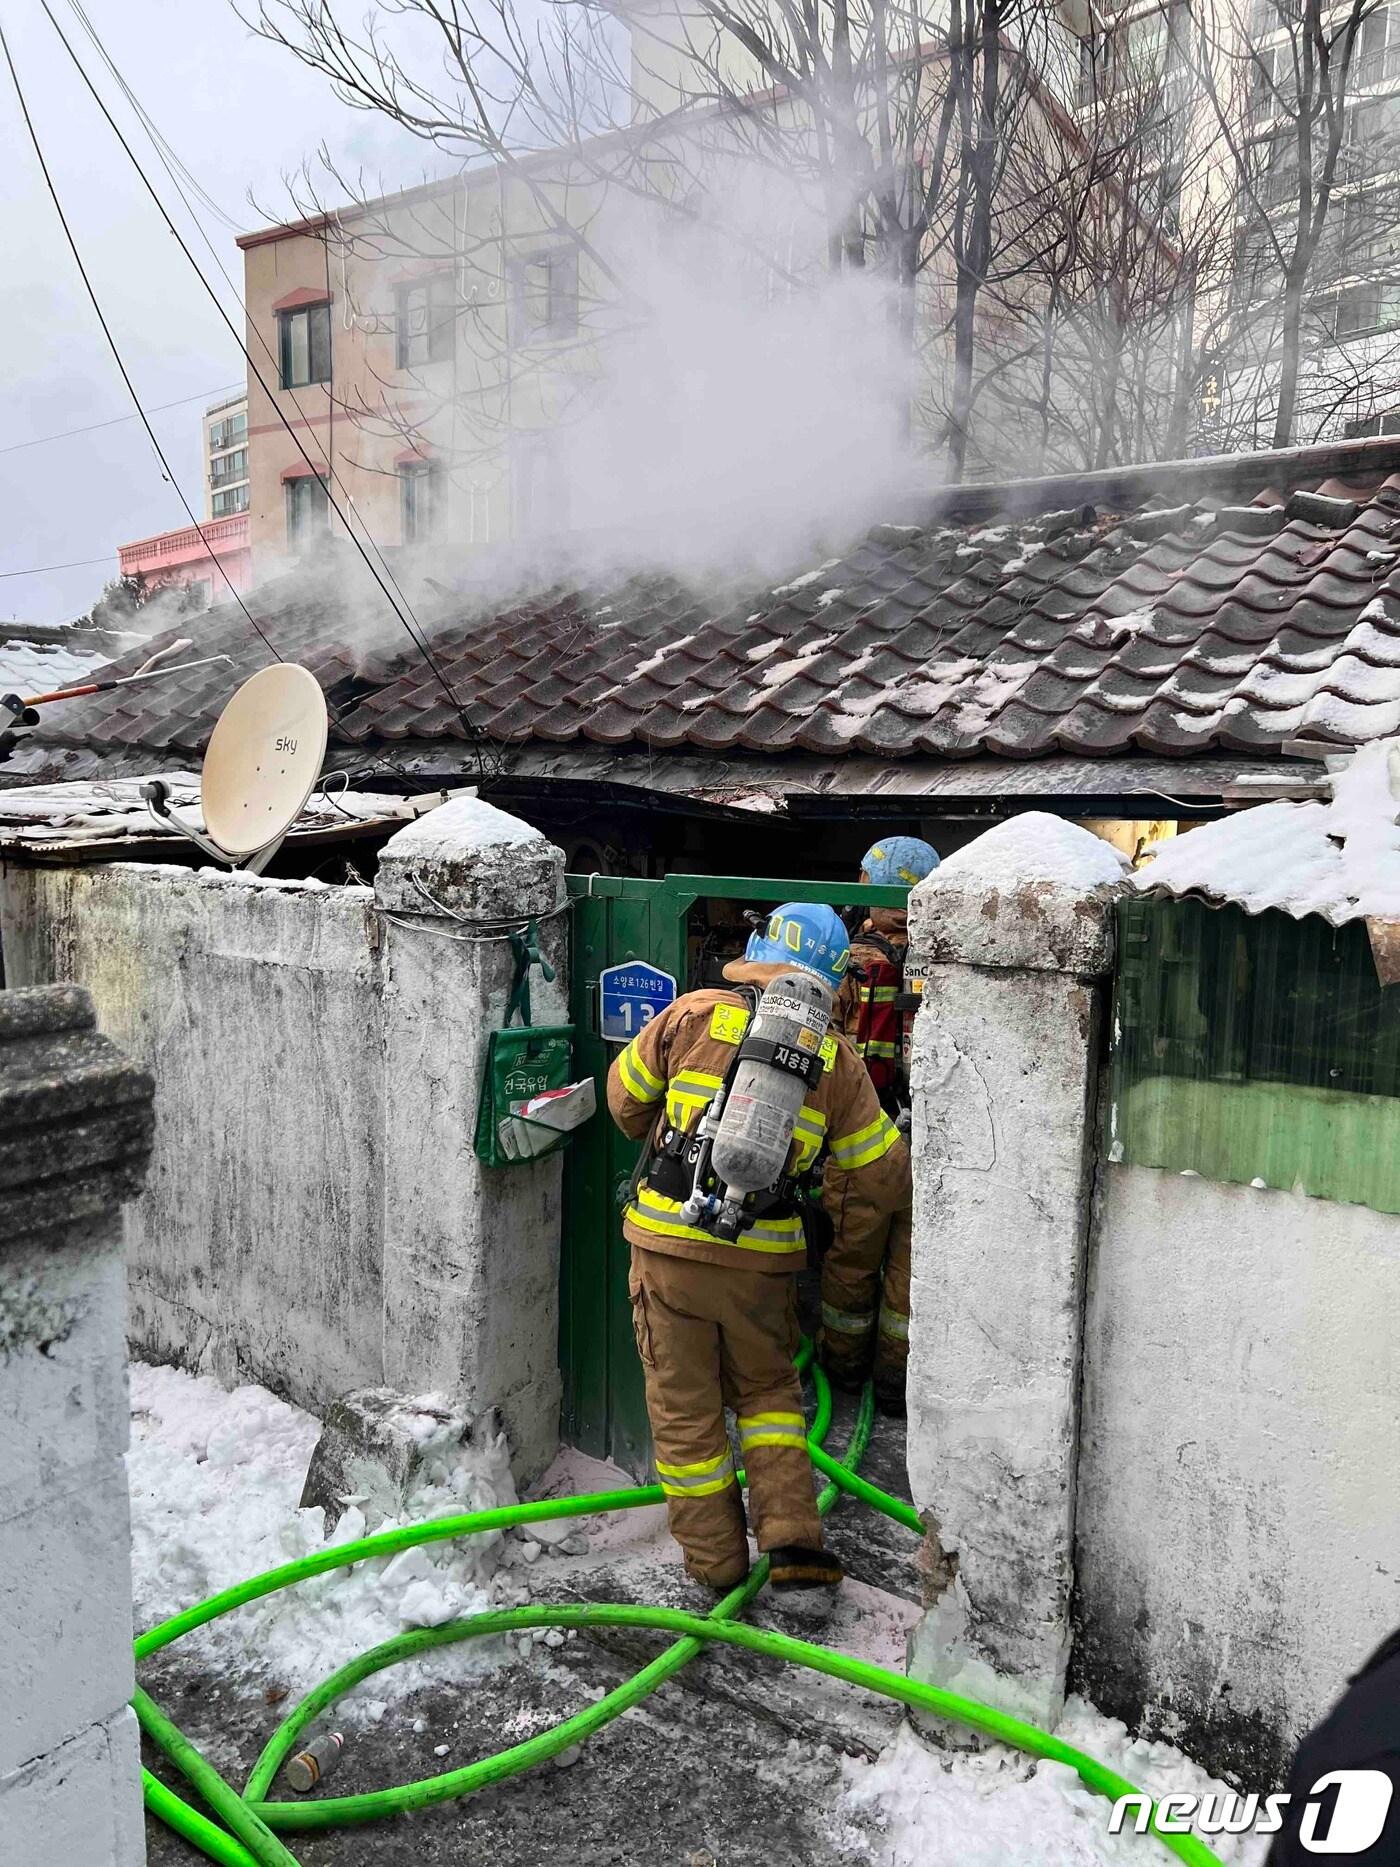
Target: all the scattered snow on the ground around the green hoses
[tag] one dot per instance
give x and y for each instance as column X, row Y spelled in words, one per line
column 216, row 1485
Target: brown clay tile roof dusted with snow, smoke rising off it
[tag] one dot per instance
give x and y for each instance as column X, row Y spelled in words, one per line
column 1179, row 610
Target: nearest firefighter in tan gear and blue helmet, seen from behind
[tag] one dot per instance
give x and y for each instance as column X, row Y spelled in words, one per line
column 718, row 1321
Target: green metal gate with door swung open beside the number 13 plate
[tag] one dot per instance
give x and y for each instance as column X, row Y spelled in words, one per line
column 619, row 919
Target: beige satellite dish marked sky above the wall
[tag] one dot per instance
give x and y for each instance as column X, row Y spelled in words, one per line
column 260, row 768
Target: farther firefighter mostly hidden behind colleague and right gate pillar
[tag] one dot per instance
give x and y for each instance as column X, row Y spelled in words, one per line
column 865, row 1276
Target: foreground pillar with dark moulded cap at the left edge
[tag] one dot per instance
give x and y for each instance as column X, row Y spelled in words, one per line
column 76, row 1130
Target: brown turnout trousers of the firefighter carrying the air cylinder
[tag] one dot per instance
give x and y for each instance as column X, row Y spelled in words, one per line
column 712, row 1338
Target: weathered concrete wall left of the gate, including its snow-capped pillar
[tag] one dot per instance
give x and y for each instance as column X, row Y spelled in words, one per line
column 316, row 1216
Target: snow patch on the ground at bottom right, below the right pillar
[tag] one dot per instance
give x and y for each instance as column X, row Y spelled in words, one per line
column 996, row 1808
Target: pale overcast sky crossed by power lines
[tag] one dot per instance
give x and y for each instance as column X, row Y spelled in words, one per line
column 240, row 115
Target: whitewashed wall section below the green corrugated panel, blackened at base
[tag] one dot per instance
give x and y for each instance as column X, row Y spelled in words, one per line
column 1239, row 1532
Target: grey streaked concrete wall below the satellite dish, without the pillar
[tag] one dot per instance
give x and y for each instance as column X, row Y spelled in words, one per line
column 257, row 1252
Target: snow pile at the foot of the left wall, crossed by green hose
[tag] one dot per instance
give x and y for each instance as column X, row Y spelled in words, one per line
column 216, row 1485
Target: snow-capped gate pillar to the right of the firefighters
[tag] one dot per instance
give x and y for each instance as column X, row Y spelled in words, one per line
column 1016, row 938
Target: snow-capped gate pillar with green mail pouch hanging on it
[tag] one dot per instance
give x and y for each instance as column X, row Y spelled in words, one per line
column 471, row 1252
